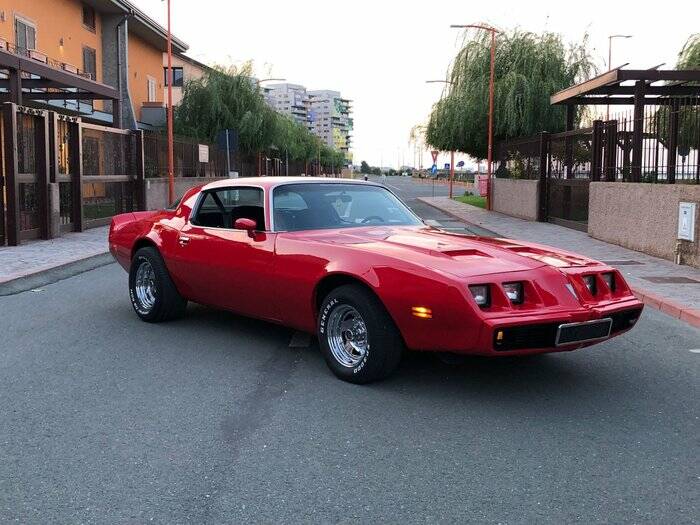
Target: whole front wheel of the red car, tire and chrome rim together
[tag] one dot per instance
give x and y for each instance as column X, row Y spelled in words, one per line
column 358, row 338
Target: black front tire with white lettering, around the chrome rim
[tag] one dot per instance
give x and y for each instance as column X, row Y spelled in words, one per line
column 385, row 345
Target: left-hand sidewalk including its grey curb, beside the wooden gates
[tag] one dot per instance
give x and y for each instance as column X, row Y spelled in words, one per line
column 38, row 262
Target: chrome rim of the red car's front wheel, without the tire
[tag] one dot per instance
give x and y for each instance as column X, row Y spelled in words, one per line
column 347, row 336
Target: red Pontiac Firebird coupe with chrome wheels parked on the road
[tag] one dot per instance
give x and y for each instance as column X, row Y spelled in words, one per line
column 348, row 261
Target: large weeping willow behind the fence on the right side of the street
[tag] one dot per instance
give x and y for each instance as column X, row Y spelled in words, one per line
column 528, row 69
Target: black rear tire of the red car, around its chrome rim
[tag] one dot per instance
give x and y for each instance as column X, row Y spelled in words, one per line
column 167, row 302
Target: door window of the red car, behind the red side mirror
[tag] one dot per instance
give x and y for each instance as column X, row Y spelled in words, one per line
column 221, row 208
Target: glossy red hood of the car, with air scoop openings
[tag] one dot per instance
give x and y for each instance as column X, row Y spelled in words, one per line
column 459, row 255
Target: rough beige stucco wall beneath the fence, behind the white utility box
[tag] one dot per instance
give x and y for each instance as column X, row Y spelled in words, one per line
column 643, row 217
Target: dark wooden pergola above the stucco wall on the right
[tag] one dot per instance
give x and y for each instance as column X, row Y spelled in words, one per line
column 638, row 88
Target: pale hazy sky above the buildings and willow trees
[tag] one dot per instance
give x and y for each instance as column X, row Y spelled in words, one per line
column 380, row 53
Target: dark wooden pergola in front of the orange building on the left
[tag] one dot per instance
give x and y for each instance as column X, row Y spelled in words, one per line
column 38, row 78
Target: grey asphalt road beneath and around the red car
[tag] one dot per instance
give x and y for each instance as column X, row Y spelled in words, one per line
column 214, row 419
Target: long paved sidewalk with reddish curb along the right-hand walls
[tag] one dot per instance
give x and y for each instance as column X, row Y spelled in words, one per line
column 680, row 299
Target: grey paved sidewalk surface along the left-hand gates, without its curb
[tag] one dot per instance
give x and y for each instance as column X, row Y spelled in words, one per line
column 38, row 256
